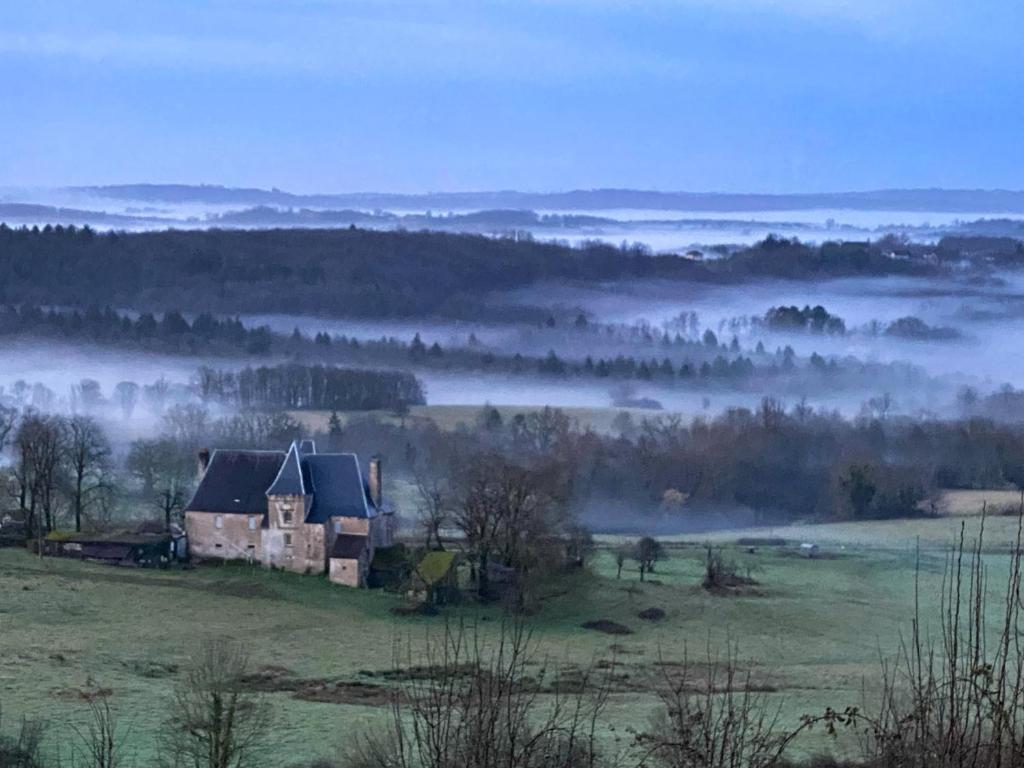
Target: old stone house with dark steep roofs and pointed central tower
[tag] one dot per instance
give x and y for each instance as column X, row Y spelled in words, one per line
column 298, row 510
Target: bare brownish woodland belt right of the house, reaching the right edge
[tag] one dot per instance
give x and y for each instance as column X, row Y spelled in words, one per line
column 745, row 466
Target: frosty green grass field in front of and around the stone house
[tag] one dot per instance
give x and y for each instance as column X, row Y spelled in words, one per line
column 813, row 629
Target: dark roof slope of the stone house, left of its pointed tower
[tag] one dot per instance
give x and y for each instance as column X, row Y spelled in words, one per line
column 237, row 482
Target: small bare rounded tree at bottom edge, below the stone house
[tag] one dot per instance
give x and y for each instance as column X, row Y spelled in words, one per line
column 214, row 721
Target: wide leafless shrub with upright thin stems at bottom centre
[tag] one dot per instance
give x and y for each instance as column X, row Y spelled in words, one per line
column 484, row 708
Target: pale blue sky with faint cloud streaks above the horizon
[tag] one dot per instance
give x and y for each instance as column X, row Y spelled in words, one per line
column 429, row 96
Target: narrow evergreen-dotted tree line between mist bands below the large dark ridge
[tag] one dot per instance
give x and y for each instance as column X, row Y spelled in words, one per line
column 684, row 361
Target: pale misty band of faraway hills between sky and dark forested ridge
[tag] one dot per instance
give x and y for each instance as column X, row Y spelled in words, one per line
column 678, row 225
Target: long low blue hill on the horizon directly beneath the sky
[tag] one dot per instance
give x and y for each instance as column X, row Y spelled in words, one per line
column 966, row 201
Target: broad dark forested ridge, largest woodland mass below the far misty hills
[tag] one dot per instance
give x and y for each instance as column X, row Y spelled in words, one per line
column 361, row 273
